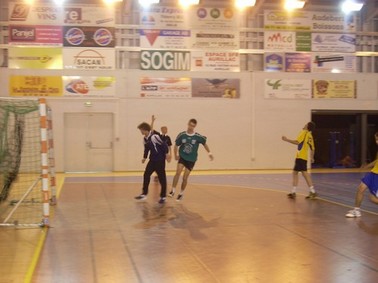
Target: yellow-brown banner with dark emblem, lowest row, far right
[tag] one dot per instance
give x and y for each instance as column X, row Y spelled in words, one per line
column 333, row 89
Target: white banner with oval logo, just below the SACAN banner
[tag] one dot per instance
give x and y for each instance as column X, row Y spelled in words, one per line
column 80, row 86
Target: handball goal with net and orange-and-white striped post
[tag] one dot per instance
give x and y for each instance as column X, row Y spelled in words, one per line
column 26, row 162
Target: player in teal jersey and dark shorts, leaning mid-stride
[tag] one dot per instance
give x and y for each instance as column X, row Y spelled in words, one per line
column 186, row 152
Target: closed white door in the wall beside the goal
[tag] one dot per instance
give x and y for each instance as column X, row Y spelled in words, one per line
column 88, row 142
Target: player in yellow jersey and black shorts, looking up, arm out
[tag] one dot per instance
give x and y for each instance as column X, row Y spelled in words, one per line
column 305, row 145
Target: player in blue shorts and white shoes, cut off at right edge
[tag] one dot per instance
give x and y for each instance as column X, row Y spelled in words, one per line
column 369, row 181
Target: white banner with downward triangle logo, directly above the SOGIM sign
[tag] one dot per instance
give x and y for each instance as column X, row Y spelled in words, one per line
column 165, row 38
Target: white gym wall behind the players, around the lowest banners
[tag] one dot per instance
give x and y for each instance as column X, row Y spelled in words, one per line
column 242, row 133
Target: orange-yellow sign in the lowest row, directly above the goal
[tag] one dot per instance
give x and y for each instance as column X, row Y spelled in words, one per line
column 35, row 86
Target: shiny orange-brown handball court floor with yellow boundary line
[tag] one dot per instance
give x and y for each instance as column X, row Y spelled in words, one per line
column 235, row 227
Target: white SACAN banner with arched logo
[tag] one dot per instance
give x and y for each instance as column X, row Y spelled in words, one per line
column 89, row 58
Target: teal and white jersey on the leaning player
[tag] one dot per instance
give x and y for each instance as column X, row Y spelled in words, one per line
column 188, row 145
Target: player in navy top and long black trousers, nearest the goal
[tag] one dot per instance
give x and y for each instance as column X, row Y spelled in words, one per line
column 157, row 149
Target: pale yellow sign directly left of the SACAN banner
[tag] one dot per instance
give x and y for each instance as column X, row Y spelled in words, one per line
column 35, row 58
